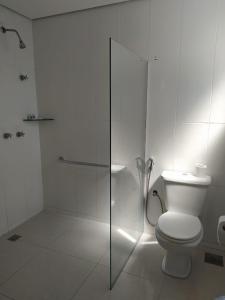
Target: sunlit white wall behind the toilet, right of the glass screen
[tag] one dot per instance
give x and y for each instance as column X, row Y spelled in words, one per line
column 186, row 114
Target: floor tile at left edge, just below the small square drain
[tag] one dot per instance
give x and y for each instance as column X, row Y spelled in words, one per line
column 13, row 255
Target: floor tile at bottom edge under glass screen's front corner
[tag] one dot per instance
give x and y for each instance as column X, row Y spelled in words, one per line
column 127, row 287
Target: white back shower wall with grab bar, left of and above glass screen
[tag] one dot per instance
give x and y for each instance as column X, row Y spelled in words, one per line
column 72, row 64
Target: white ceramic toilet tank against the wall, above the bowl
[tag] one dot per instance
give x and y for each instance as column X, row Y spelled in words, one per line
column 185, row 192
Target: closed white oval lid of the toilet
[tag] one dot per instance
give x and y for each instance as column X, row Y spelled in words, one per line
column 180, row 226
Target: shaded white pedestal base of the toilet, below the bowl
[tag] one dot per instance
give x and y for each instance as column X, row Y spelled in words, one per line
column 176, row 265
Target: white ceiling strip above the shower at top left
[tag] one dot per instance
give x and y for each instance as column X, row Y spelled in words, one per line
column 34, row 9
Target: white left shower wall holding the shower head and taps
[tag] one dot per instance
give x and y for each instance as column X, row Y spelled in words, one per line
column 20, row 162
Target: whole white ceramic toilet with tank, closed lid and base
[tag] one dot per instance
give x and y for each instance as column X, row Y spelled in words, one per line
column 179, row 230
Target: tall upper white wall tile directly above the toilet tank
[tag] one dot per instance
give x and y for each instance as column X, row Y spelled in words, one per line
column 199, row 28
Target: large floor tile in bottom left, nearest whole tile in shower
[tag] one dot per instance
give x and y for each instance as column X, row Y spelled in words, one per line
column 50, row 276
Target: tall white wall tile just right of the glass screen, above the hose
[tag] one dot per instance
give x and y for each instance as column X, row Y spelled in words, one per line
column 163, row 82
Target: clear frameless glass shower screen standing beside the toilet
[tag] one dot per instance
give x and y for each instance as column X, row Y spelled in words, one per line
column 128, row 86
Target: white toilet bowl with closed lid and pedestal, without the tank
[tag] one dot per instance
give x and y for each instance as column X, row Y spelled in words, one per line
column 178, row 234
